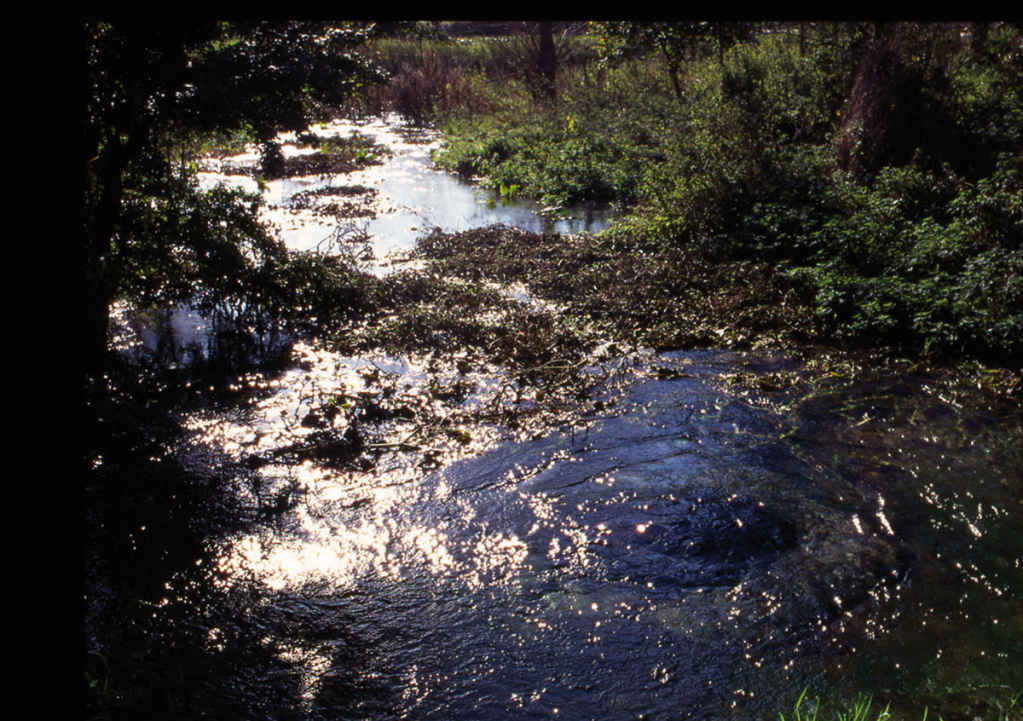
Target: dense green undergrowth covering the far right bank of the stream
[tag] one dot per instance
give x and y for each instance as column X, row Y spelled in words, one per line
column 913, row 246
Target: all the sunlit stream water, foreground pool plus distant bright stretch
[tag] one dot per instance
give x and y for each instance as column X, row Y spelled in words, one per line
column 696, row 554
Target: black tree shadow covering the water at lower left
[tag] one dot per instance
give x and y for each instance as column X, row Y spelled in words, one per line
column 165, row 638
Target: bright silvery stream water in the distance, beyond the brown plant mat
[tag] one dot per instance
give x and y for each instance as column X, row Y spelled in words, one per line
column 406, row 197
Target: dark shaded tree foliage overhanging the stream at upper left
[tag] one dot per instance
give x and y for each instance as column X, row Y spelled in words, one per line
column 151, row 88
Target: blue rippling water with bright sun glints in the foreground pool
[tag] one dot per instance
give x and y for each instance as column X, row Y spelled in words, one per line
column 676, row 556
